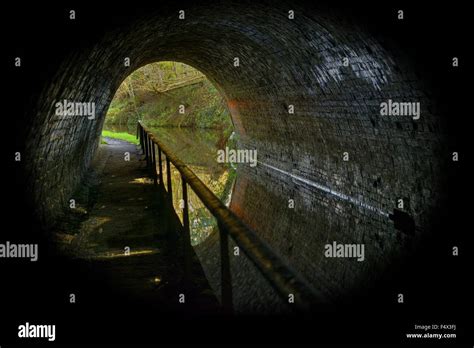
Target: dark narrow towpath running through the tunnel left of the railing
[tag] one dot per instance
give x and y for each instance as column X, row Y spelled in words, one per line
column 128, row 237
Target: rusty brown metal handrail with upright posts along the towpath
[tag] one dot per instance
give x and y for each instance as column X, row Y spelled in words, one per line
column 277, row 273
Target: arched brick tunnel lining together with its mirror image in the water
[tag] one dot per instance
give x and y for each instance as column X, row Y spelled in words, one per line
column 304, row 84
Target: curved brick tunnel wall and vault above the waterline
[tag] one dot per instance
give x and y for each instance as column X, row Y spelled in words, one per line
column 282, row 61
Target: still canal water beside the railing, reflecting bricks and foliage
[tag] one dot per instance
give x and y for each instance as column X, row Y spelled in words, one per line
column 299, row 234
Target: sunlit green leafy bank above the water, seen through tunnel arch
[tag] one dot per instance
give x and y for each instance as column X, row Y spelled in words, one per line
column 150, row 94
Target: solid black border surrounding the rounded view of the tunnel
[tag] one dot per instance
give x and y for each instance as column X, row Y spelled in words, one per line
column 437, row 285
